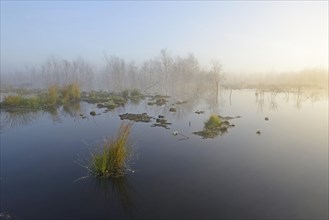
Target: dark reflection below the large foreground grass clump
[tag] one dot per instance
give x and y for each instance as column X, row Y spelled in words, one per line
column 120, row 188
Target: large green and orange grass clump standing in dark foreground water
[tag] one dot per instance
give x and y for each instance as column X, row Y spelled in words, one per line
column 112, row 160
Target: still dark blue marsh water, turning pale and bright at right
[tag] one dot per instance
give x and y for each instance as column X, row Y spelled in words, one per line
column 281, row 173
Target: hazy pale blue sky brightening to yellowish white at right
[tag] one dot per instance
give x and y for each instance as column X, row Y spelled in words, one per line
column 245, row 36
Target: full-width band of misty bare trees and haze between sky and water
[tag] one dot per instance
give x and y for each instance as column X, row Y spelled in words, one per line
column 164, row 74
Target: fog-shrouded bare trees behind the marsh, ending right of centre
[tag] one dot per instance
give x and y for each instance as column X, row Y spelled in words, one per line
column 163, row 74
